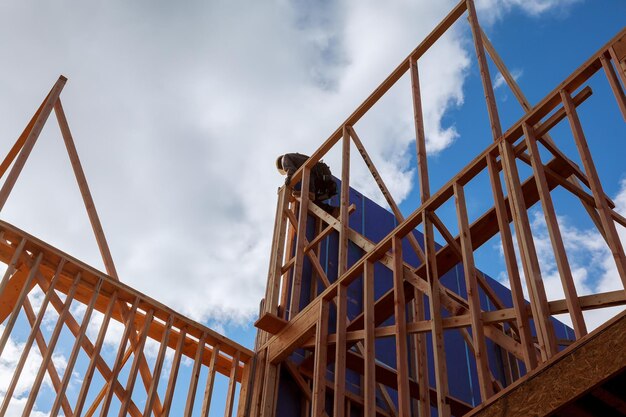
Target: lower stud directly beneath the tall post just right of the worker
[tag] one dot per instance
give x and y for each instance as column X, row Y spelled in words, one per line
column 340, row 352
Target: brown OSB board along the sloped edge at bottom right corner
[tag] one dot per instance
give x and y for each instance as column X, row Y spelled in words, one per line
column 584, row 365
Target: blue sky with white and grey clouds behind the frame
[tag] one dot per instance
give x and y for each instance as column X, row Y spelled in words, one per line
column 179, row 111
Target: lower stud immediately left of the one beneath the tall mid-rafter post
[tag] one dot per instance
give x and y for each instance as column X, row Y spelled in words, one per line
column 402, row 363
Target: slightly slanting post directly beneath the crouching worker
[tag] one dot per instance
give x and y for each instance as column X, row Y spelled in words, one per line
column 296, row 287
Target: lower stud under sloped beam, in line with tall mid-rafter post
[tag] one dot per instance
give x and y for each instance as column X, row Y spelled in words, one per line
column 441, row 373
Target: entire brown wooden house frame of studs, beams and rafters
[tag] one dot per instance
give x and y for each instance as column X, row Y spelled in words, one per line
column 286, row 325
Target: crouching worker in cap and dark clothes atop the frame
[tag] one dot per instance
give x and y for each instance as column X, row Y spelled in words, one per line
column 321, row 184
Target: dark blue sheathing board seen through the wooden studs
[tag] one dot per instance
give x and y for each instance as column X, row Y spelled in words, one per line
column 375, row 222
